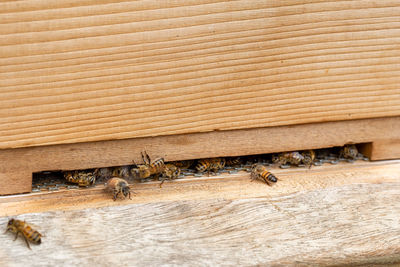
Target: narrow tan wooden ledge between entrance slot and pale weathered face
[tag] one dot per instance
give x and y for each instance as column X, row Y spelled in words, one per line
column 232, row 186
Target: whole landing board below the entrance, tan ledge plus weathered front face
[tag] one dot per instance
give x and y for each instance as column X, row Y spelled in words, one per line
column 344, row 214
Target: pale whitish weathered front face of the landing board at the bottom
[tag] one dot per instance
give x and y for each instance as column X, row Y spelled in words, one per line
column 348, row 225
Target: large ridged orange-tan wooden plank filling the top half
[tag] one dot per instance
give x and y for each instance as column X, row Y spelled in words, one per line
column 101, row 70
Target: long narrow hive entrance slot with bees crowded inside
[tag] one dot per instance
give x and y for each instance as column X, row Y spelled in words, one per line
column 223, row 166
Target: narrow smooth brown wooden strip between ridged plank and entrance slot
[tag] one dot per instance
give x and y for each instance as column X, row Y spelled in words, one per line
column 191, row 146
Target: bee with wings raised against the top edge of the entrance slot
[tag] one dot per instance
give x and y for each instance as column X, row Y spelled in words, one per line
column 150, row 168
